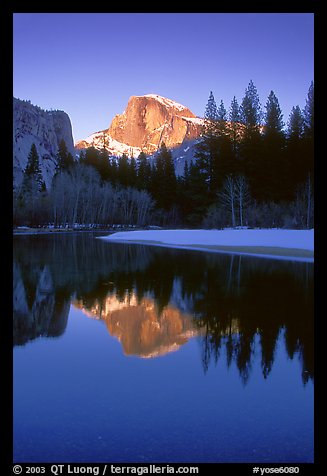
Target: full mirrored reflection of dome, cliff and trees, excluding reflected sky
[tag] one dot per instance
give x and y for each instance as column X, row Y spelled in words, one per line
column 153, row 300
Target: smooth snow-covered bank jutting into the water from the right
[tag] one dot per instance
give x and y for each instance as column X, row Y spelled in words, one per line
column 276, row 243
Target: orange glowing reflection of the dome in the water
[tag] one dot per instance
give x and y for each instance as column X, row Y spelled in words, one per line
column 139, row 327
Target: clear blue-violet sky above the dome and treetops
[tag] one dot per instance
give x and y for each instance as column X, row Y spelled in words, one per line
column 89, row 64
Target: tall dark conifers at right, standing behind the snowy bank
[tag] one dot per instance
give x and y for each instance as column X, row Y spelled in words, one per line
column 249, row 169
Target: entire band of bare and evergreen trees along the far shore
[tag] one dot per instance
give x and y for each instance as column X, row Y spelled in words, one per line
column 248, row 169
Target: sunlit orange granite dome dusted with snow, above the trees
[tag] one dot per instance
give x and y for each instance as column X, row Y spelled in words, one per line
column 147, row 122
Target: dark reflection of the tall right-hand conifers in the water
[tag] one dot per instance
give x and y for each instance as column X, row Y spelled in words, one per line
column 272, row 298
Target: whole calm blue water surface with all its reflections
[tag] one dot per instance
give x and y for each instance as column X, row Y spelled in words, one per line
column 132, row 353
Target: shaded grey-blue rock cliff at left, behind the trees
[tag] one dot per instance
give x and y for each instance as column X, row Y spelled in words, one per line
column 43, row 128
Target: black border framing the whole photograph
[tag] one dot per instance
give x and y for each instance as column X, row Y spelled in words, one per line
column 6, row 427
